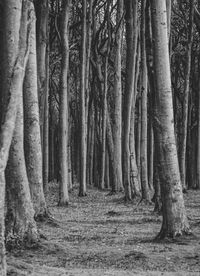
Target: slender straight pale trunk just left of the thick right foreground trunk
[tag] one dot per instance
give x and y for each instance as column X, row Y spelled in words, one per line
column 143, row 157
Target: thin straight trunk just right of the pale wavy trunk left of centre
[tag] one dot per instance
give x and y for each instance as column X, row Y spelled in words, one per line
column 83, row 151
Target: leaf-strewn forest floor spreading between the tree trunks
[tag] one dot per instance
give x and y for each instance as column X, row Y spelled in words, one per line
column 101, row 235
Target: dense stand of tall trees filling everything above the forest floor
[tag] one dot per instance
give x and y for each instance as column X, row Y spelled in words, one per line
column 97, row 94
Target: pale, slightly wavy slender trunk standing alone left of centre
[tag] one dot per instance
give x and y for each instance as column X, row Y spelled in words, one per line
column 64, row 196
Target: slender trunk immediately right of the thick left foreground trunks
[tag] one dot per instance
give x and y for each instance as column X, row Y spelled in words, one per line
column 42, row 15
